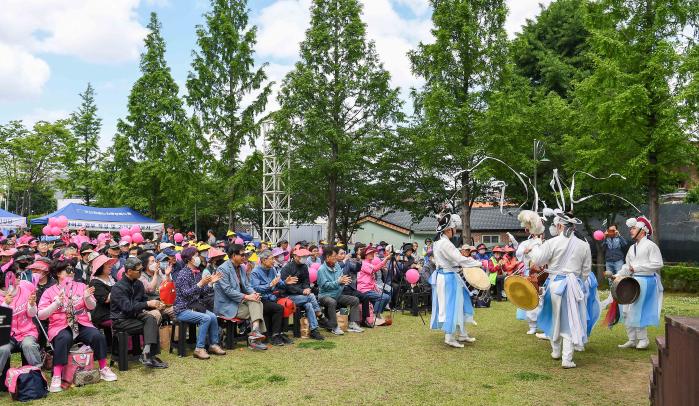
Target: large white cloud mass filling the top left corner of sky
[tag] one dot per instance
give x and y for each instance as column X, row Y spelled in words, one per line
column 94, row 31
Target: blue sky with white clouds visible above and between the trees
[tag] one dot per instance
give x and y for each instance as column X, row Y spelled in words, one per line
column 49, row 51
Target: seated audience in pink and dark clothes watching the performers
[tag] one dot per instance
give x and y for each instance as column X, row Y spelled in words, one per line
column 73, row 289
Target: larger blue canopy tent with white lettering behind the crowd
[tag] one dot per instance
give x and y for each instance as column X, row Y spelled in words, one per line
column 110, row 219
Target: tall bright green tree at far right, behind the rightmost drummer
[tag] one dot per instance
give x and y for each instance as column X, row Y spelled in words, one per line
column 634, row 104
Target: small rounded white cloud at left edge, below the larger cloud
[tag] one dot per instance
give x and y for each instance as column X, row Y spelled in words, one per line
column 21, row 73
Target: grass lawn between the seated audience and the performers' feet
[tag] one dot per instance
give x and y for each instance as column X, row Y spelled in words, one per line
column 402, row 364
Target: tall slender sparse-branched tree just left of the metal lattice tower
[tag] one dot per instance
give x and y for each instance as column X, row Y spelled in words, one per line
column 222, row 80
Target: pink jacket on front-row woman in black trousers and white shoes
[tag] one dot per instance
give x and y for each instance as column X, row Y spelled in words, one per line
column 58, row 320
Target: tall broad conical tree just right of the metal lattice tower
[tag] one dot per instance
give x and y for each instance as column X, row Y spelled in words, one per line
column 337, row 116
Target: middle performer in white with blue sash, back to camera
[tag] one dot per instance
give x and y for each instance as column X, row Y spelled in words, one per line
column 564, row 316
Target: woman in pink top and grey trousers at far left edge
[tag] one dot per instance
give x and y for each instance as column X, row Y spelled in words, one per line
column 20, row 296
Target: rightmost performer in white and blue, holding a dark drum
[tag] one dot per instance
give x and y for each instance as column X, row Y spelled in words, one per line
column 643, row 263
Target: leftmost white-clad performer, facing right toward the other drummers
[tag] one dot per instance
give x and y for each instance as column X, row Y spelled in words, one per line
column 451, row 301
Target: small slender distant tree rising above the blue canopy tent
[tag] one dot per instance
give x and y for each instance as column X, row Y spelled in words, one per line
column 82, row 155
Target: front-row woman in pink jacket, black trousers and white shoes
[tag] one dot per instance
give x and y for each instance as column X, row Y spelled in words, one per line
column 67, row 306
